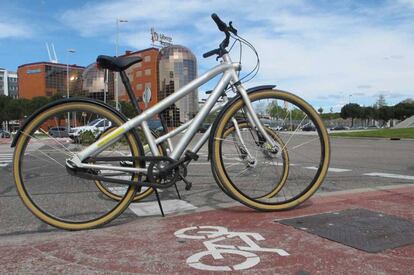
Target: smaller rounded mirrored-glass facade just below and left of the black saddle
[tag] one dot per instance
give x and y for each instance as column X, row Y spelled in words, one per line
column 94, row 83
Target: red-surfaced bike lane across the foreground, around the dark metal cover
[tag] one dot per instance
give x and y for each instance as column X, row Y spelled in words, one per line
column 150, row 246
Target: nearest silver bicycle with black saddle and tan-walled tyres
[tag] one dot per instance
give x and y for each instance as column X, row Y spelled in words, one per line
column 262, row 167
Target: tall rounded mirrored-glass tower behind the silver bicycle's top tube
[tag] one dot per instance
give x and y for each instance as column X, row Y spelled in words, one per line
column 177, row 66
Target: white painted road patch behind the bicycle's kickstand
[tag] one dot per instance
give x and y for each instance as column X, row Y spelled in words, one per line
column 152, row 208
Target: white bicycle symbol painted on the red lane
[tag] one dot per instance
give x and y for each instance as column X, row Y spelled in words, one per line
column 215, row 234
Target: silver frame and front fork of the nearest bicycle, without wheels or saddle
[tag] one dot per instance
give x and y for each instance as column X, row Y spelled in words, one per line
column 230, row 76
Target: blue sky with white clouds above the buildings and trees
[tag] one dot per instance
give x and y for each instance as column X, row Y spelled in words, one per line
column 328, row 52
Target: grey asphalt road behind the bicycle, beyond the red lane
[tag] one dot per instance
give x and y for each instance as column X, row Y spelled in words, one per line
column 355, row 163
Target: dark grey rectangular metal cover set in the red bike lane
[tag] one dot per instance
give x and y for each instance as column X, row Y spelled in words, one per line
column 359, row 228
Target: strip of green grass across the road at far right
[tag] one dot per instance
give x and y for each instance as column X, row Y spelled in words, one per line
column 380, row 133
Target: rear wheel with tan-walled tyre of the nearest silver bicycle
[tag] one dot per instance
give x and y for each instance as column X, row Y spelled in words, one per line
column 43, row 183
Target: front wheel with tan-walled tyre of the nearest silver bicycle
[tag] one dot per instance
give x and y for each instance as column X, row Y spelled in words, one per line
column 248, row 179
